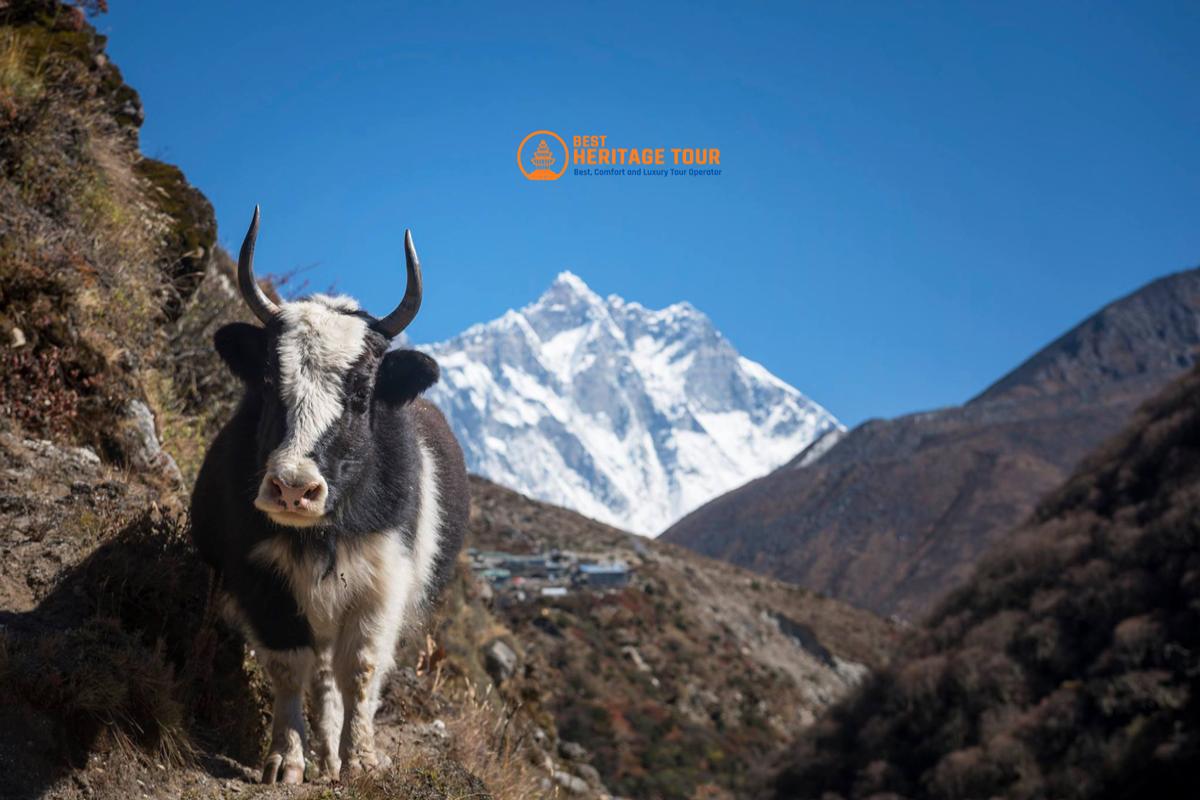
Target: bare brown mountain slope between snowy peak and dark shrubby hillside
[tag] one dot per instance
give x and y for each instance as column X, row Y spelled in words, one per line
column 898, row 512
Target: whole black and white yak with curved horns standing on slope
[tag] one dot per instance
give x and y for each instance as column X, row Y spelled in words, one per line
column 332, row 508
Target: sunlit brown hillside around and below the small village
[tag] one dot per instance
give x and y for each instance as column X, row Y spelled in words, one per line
column 685, row 682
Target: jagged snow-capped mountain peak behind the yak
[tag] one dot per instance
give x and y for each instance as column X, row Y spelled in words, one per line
column 628, row 416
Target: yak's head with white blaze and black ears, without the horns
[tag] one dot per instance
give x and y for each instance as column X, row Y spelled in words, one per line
column 322, row 374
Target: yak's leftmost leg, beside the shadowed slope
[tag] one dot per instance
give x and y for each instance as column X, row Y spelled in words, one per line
column 289, row 671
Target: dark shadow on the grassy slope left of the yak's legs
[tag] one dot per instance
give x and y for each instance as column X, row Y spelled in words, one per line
column 122, row 654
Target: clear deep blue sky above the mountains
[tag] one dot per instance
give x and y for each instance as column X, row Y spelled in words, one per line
column 915, row 197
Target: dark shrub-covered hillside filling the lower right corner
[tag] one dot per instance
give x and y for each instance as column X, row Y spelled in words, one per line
column 1067, row 667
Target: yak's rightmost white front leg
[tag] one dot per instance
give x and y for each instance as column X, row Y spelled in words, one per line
column 365, row 655
